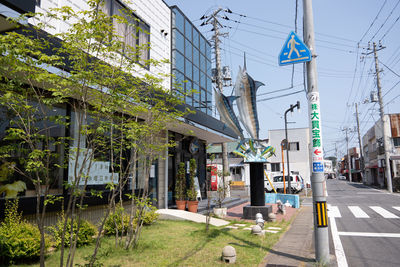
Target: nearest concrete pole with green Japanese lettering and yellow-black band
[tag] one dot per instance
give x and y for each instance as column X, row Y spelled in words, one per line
column 318, row 181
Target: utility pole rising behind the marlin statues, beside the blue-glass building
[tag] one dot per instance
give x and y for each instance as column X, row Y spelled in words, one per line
column 216, row 25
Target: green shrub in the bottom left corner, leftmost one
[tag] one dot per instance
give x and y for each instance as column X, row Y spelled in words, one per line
column 19, row 240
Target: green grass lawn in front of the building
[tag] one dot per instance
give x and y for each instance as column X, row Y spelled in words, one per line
column 181, row 243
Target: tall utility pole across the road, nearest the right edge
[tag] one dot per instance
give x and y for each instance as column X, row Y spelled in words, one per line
column 384, row 123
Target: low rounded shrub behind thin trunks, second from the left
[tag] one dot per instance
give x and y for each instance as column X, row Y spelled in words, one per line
column 84, row 235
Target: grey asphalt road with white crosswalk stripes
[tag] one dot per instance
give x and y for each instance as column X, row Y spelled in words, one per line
column 364, row 224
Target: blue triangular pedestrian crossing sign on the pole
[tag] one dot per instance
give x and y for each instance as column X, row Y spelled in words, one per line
column 294, row 51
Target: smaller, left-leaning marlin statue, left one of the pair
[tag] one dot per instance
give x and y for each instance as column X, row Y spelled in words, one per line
column 225, row 108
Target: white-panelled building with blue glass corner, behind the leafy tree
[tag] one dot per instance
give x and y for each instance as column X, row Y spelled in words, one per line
column 166, row 30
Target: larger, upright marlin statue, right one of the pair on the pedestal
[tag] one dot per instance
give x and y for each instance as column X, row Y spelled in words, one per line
column 246, row 89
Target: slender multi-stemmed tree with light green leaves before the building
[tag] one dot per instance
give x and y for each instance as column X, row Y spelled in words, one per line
column 116, row 115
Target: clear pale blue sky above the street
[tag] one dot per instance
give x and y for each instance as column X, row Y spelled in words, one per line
column 344, row 33
